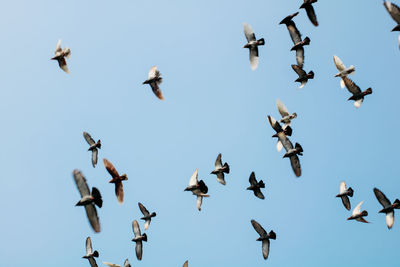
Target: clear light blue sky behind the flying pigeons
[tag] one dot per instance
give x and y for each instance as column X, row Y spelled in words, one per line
column 214, row 103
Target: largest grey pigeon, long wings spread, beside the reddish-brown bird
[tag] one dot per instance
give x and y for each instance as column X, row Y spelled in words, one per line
column 88, row 200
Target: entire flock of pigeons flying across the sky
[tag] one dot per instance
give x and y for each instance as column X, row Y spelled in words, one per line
column 92, row 198
